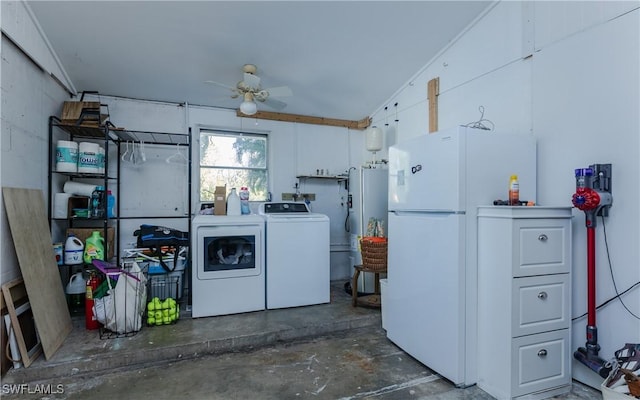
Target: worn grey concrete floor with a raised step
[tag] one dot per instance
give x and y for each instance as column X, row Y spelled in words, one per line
column 330, row 351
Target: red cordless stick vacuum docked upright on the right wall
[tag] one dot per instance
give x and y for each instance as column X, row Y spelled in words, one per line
column 593, row 196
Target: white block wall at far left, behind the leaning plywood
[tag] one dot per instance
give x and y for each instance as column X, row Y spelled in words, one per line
column 28, row 96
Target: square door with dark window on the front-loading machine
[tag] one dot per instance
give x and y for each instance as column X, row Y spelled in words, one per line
column 227, row 251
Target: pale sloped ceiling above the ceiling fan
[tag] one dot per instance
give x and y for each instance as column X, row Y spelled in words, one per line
column 341, row 59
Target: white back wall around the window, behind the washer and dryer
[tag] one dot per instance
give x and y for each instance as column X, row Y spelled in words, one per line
column 159, row 189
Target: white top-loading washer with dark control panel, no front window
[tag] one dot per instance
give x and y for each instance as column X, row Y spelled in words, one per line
column 297, row 255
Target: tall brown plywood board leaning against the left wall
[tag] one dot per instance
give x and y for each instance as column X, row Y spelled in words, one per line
column 26, row 213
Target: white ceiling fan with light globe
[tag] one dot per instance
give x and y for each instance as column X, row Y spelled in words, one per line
column 251, row 91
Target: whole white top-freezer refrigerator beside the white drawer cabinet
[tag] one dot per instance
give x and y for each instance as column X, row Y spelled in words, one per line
column 436, row 182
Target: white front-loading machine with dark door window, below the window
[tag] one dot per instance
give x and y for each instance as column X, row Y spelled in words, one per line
column 228, row 264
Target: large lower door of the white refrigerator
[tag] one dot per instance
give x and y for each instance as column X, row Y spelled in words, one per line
column 426, row 297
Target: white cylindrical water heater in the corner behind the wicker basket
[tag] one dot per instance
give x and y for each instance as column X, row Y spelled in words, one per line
column 368, row 189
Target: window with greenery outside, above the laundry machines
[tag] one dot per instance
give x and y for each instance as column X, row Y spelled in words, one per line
column 235, row 159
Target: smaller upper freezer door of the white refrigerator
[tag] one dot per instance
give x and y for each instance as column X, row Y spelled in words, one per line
column 425, row 172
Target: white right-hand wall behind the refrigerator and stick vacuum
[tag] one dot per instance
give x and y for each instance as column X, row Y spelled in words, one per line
column 568, row 72
